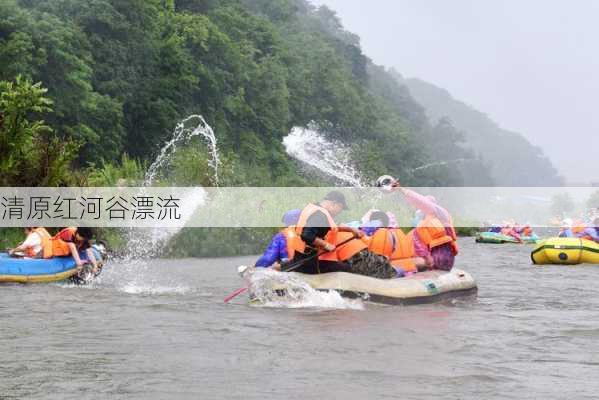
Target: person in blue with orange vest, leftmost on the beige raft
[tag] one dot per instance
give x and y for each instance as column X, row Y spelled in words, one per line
column 279, row 250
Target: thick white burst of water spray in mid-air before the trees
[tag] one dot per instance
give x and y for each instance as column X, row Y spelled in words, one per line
column 309, row 146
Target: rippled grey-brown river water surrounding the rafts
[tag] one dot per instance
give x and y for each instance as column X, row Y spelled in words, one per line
column 162, row 331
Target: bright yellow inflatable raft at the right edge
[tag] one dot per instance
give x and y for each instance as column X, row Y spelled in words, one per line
column 566, row 251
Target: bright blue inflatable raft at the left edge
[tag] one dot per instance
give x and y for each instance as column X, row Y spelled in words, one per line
column 29, row 270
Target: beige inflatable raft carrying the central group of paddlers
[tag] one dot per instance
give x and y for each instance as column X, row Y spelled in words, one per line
column 420, row 288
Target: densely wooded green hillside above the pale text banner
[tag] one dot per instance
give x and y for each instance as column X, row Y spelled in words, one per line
column 120, row 74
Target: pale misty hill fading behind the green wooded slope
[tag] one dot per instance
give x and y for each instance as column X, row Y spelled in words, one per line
column 513, row 160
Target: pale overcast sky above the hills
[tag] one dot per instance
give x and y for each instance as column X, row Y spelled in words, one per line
column 531, row 65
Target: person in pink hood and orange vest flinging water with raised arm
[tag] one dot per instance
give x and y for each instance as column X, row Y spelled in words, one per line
column 434, row 239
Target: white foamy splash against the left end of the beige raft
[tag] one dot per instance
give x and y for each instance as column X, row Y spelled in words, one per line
column 265, row 290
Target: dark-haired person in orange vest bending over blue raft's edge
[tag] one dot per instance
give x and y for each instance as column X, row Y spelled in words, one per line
column 72, row 240
